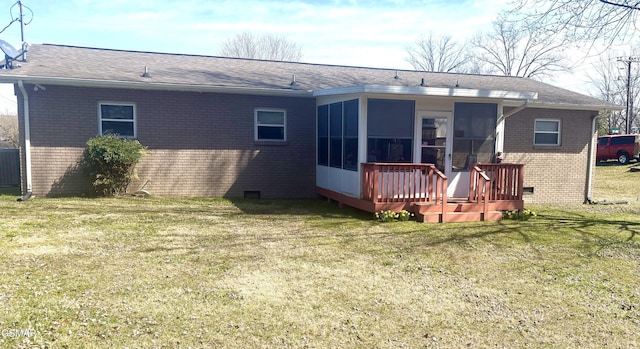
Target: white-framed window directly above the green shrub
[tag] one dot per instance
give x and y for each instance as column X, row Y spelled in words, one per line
column 117, row 118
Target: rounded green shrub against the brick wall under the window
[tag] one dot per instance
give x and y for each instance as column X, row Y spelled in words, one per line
column 109, row 162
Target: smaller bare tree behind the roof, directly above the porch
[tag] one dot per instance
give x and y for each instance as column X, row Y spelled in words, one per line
column 439, row 54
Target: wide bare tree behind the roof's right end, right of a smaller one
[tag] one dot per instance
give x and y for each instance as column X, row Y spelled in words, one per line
column 523, row 49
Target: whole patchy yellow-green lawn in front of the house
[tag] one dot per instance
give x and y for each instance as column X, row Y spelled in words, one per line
column 161, row 273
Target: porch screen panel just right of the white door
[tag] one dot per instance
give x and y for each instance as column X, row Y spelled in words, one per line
column 474, row 134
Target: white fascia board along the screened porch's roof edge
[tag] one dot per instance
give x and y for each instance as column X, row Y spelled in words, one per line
column 429, row 91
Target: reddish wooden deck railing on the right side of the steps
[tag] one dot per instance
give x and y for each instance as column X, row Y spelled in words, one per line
column 506, row 182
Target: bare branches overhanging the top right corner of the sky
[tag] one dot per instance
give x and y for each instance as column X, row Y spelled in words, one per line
column 583, row 20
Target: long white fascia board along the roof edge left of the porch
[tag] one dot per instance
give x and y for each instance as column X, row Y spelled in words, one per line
column 153, row 86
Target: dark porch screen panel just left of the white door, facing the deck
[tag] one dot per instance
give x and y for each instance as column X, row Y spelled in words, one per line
column 390, row 130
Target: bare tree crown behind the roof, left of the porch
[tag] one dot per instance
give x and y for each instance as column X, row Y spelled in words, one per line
column 267, row 46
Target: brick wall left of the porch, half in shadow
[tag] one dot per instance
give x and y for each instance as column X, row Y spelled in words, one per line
column 200, row 144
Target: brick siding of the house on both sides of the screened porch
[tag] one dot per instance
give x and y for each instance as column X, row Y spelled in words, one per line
column 202, row 145
